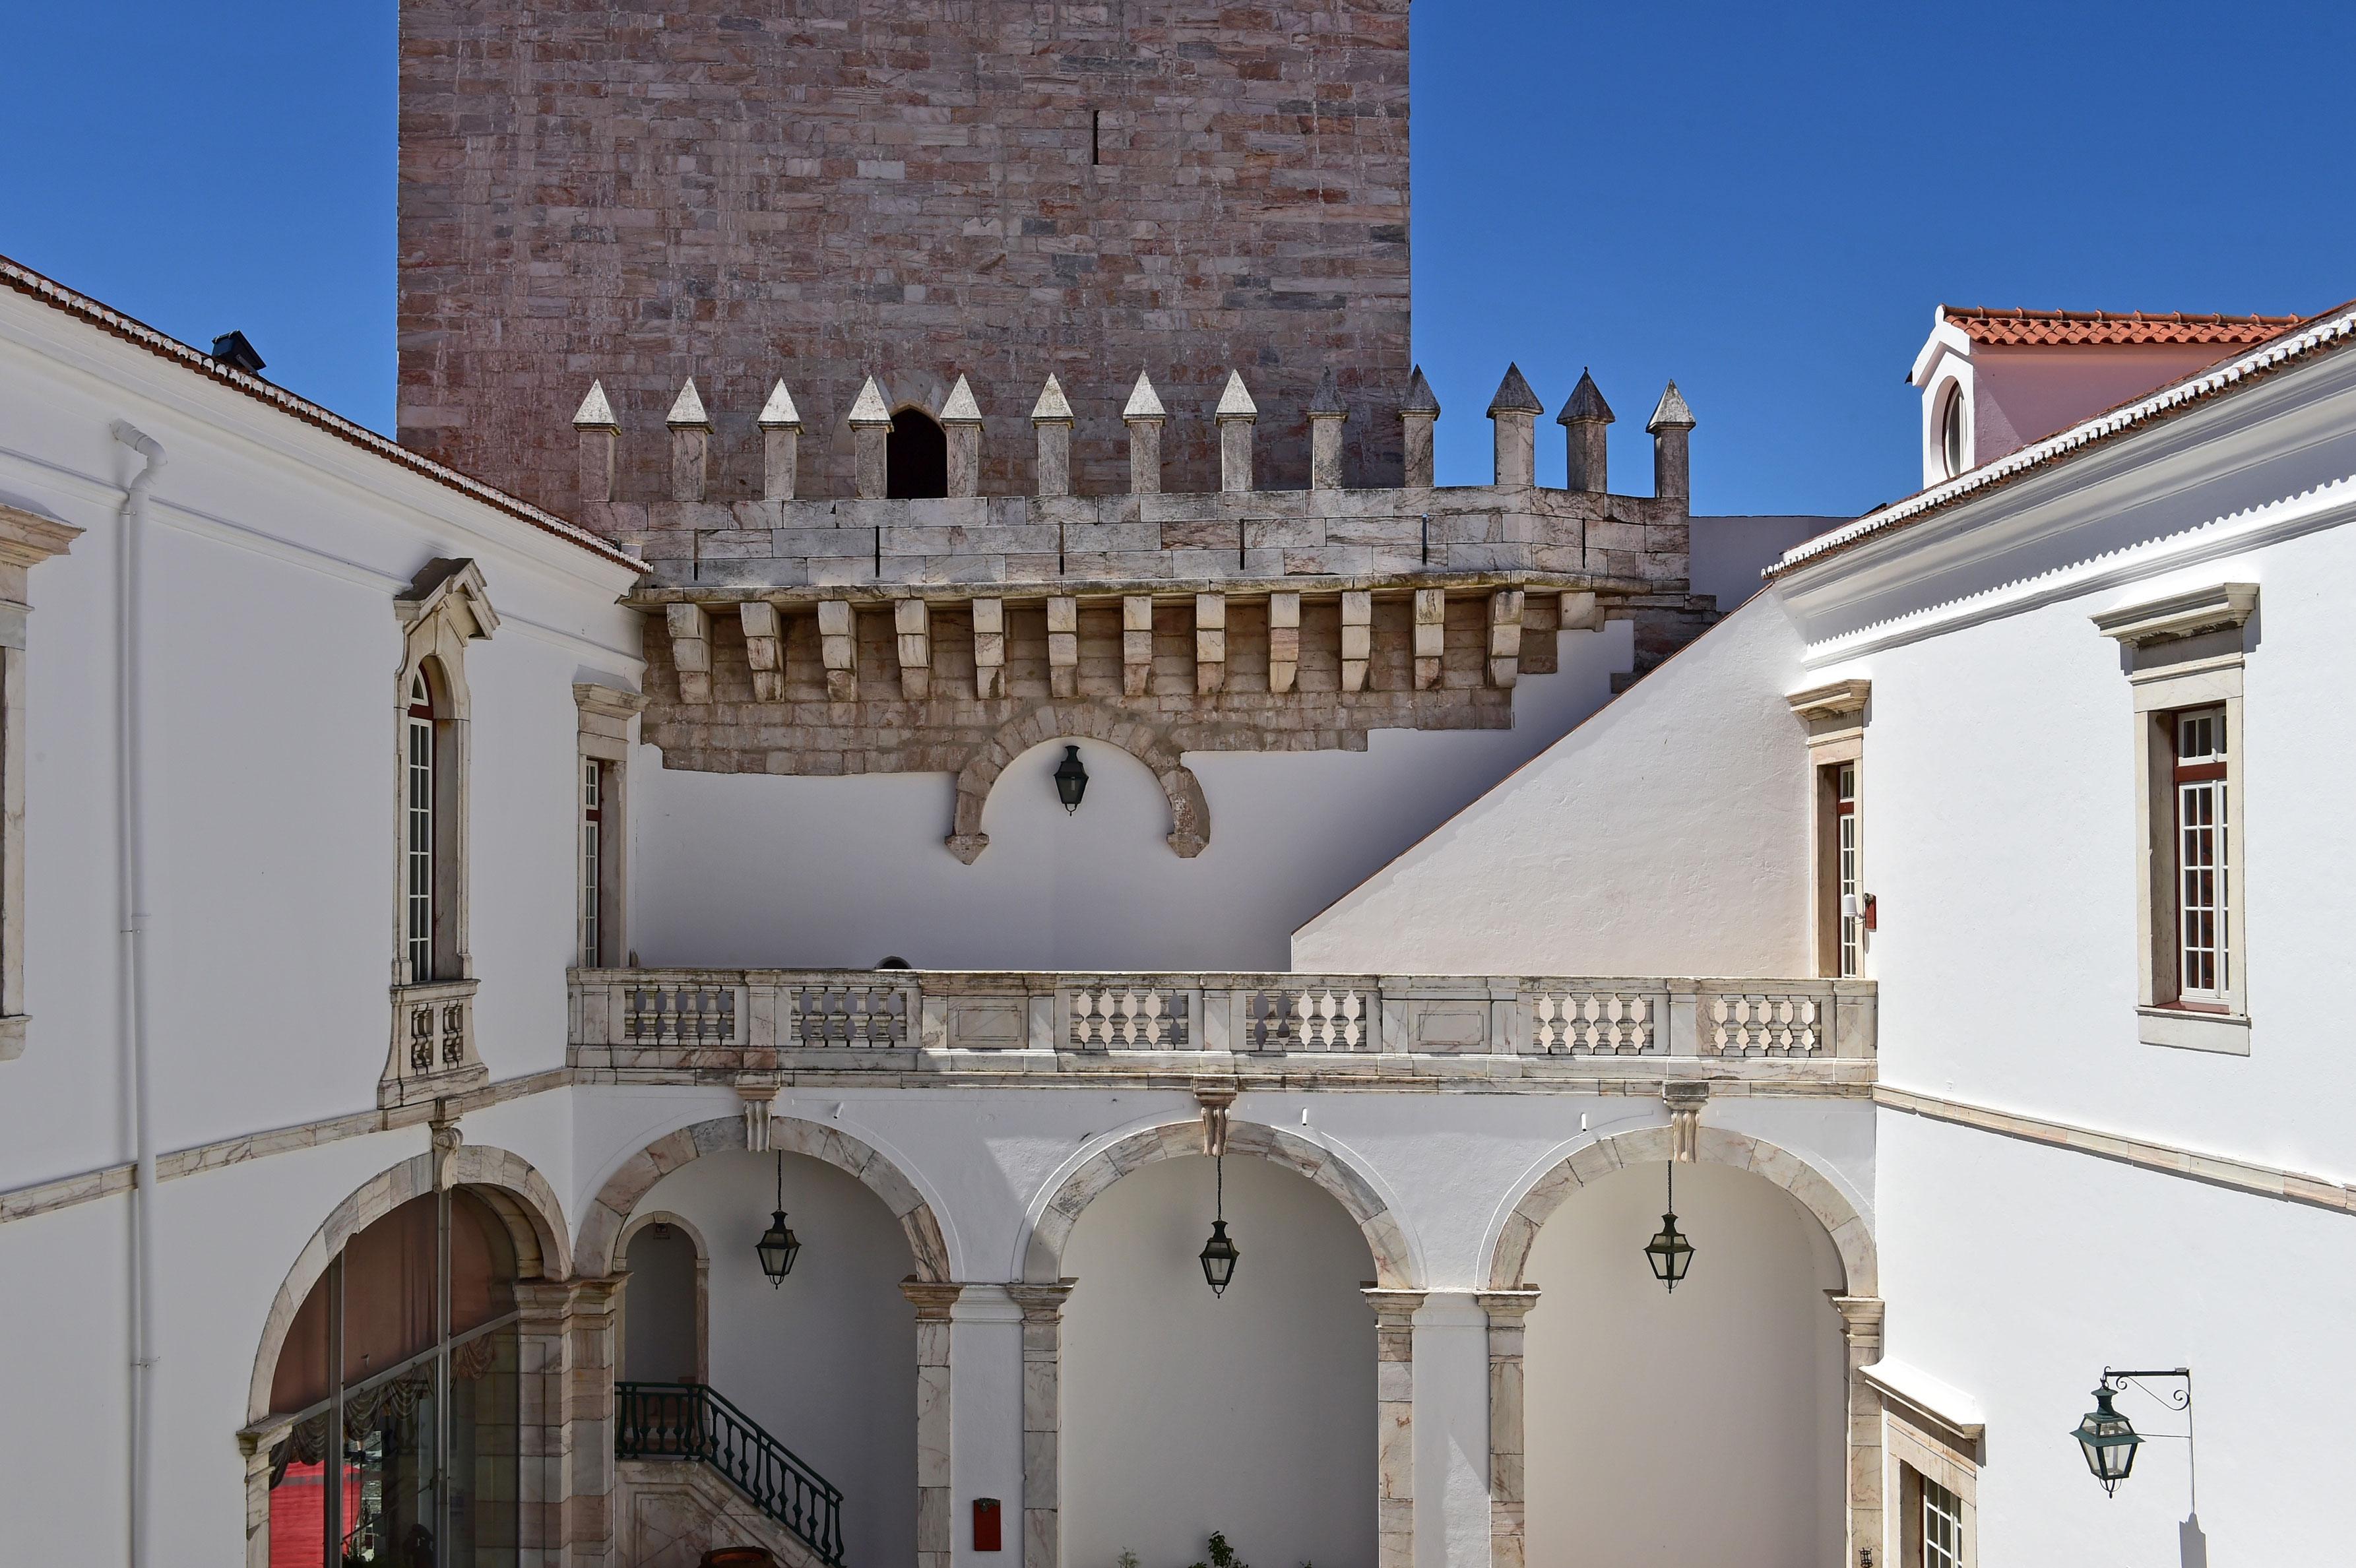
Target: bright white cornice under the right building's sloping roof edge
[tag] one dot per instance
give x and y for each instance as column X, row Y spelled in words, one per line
column 2230, row 536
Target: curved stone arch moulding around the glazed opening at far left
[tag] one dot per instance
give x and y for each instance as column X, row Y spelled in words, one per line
column 510, row 1185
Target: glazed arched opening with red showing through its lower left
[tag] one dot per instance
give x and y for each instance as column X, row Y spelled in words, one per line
column 402, row 1374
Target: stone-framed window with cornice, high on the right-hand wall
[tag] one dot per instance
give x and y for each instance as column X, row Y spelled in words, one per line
column 2185, row 672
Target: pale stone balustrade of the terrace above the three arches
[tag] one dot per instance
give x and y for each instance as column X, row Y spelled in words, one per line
column 675, row 1025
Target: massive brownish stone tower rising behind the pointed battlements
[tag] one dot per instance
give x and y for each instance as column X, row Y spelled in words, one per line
column 913, row 190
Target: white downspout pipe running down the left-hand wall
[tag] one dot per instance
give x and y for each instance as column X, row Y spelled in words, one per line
column 131, row 870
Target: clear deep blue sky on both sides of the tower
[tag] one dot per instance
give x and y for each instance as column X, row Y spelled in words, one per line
column 1759, row 201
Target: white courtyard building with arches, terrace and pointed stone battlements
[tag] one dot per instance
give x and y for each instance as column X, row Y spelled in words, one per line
column 439, row 941
